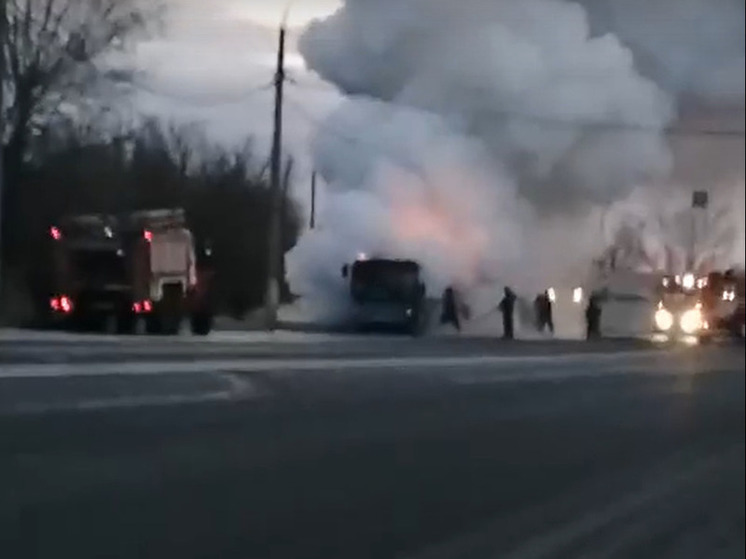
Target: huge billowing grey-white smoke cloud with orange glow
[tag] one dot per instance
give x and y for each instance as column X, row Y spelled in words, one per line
column 479, row 138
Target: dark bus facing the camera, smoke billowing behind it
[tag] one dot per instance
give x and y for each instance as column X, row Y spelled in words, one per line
column 386, row 293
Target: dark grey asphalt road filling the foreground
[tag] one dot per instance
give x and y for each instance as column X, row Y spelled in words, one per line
column 356, row 448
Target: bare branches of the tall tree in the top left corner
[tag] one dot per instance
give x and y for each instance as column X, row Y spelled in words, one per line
column 53, row 51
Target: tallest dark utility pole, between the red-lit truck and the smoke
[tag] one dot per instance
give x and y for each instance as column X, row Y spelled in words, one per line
column 274, row 249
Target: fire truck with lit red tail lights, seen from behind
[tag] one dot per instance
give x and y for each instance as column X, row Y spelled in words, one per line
column 142, row 268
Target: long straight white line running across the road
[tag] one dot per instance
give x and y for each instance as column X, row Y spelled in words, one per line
column 55, row 370
